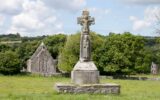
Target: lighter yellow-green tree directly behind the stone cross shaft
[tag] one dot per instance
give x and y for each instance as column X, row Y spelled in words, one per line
column 70, row 53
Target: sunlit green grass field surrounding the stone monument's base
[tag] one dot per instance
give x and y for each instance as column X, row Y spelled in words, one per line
column 41, row 88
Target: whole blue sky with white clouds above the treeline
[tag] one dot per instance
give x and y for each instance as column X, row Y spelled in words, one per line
column 48, row 17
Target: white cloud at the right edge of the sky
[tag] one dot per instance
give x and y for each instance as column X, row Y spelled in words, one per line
column 148, row 20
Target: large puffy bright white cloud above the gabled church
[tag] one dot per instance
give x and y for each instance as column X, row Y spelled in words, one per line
column 35, row 18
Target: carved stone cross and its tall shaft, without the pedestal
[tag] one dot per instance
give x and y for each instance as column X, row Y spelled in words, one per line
column 85, row 46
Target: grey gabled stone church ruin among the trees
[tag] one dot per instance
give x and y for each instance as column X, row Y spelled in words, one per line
column 41, row 62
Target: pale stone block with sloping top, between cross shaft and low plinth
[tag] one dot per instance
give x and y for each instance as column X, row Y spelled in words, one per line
column 85, row 73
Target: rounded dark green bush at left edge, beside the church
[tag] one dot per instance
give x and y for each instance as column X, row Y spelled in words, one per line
column 9, row 62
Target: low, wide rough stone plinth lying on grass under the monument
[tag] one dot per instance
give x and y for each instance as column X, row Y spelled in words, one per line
column 88, row 88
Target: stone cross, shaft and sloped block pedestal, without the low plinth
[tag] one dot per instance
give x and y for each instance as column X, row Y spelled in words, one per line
column 85, row 71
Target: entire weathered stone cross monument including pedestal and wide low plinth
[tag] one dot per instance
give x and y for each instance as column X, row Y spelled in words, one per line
column 85, row 76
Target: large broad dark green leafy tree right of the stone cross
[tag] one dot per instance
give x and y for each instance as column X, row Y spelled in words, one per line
column 122, row 53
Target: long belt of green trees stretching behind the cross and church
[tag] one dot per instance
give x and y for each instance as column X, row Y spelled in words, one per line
column 116, row 53
